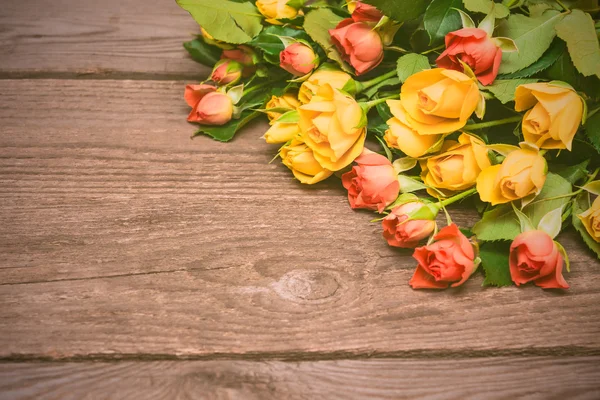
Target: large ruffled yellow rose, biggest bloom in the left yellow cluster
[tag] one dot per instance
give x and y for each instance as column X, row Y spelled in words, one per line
column 329, row 125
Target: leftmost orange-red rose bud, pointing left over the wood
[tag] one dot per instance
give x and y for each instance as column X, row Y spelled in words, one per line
column 209, row 107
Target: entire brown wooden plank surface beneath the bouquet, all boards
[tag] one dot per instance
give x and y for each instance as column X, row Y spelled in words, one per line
column 136, row 263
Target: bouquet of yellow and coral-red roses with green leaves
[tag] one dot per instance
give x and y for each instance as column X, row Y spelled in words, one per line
column 493, row 101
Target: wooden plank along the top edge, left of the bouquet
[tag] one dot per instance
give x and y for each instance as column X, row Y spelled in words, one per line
column 100, row 38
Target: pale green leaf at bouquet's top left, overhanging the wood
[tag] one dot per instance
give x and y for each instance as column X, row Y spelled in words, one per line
column 225, row 20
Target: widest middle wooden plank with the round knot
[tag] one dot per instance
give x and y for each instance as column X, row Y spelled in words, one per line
column 121, row 237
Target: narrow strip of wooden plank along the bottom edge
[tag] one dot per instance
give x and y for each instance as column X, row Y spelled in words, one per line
column 488, row 378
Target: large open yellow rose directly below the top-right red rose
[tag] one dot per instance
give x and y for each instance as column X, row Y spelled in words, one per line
column 439, row 101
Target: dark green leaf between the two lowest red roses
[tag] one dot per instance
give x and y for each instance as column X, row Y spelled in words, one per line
column 495, row 263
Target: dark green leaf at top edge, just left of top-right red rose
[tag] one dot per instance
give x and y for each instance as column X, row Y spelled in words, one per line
column 442, row 18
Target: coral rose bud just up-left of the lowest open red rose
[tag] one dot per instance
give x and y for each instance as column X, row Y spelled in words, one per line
column 399, row 231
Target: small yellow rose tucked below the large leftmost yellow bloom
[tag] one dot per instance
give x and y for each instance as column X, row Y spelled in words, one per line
column 298, row 157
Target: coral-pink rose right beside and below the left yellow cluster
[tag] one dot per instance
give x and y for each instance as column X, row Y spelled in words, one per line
column 372, row 183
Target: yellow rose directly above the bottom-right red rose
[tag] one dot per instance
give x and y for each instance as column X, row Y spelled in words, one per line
column 522, row 174
